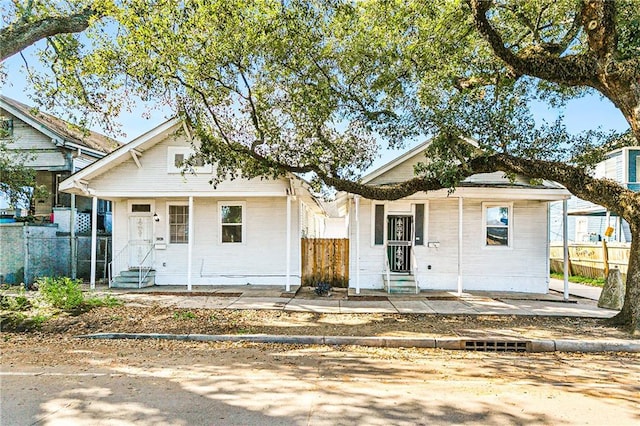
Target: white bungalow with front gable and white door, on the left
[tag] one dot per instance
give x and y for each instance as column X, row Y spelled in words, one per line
column 174, row 228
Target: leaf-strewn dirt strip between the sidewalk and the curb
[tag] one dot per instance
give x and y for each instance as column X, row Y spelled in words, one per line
column 160, row 319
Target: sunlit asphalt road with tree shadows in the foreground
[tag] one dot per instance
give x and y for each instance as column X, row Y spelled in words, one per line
column 183, row 383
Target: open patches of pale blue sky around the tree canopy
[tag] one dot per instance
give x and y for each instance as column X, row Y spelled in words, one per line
column 589, row 112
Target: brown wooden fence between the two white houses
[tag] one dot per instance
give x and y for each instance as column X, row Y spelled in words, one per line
column 325, row 260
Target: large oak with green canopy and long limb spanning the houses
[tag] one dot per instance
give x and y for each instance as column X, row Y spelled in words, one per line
column 319, row 87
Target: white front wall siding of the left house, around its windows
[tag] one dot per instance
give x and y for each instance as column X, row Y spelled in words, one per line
column 260, row 259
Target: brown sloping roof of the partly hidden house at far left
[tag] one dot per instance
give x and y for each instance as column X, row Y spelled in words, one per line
column 62, row 132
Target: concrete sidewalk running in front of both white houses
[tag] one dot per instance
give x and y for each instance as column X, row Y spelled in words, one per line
column 436, row 303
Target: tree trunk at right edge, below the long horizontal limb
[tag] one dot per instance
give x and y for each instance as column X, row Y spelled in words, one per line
column 629, row 316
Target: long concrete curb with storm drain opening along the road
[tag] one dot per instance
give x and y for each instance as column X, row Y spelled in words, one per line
column 457, row 343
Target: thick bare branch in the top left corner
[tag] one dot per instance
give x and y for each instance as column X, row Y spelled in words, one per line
column 19, row 36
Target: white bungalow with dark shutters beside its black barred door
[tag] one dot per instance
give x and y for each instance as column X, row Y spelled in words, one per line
column 490, row 234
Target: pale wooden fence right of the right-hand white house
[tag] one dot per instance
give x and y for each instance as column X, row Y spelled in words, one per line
column 587, row 259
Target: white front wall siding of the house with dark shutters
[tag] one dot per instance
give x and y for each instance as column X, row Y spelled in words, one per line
column 521, row 267
